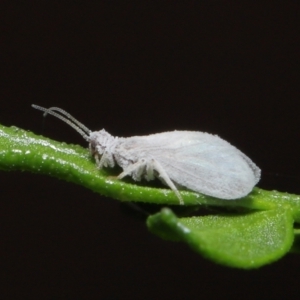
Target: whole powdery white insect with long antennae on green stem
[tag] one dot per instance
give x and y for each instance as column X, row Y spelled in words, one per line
column 198, row 161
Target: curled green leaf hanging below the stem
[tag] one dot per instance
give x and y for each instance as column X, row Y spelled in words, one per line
column 247, row 240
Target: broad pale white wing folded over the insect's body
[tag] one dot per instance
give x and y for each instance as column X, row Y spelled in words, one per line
column 199, row 161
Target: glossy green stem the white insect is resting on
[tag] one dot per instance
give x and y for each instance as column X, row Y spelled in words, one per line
column 25, row 151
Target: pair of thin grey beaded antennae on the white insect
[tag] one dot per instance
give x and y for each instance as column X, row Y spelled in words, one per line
column 70, row 120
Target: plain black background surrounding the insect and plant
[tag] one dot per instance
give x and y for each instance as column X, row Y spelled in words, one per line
column 225, row 67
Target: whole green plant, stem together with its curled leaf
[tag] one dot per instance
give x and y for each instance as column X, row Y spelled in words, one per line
column 248, row 233
